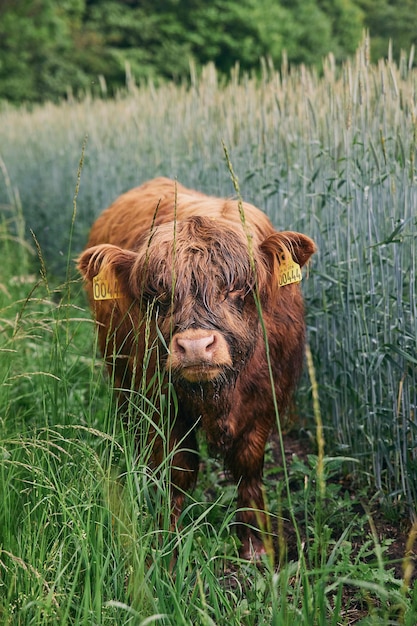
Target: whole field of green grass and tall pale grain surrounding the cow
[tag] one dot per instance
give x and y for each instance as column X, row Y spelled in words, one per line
column 331, row 155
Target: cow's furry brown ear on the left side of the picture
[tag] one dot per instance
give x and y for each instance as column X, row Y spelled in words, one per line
column 107, row 260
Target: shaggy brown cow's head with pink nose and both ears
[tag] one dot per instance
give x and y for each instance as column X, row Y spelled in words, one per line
column 202, row 279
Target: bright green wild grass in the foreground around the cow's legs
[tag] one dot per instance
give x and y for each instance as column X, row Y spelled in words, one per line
column 85, row 534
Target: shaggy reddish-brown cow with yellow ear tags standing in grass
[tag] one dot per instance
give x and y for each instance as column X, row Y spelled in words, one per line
column 200, row 269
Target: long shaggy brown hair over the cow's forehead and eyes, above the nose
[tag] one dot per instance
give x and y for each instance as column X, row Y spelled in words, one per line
column 199, row 275
